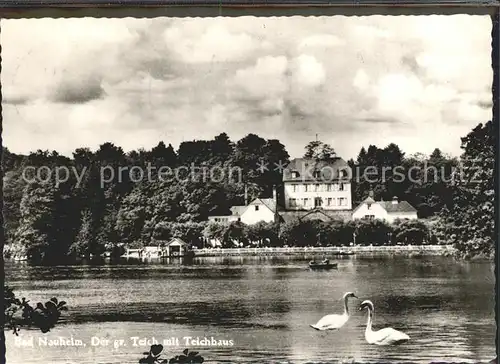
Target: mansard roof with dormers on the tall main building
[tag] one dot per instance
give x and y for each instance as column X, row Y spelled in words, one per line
column 331, row 170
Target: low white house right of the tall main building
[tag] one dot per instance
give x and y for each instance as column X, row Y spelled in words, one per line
column 384, row 210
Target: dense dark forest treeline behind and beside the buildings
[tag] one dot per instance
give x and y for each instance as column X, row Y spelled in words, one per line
column 108, row 200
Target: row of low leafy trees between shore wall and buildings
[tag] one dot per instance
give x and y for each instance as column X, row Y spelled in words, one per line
column 320, row 233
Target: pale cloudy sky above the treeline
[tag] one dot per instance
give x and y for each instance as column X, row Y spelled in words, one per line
column 421, row 82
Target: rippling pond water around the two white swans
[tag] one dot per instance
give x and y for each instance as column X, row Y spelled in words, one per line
column 264, row 306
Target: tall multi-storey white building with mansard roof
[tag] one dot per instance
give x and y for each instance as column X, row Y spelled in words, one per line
column 311, row 184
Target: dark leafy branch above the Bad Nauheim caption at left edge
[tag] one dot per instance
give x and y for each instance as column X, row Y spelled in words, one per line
column 18, row 312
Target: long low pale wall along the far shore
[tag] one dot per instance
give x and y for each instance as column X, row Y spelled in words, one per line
column 421, row 249
